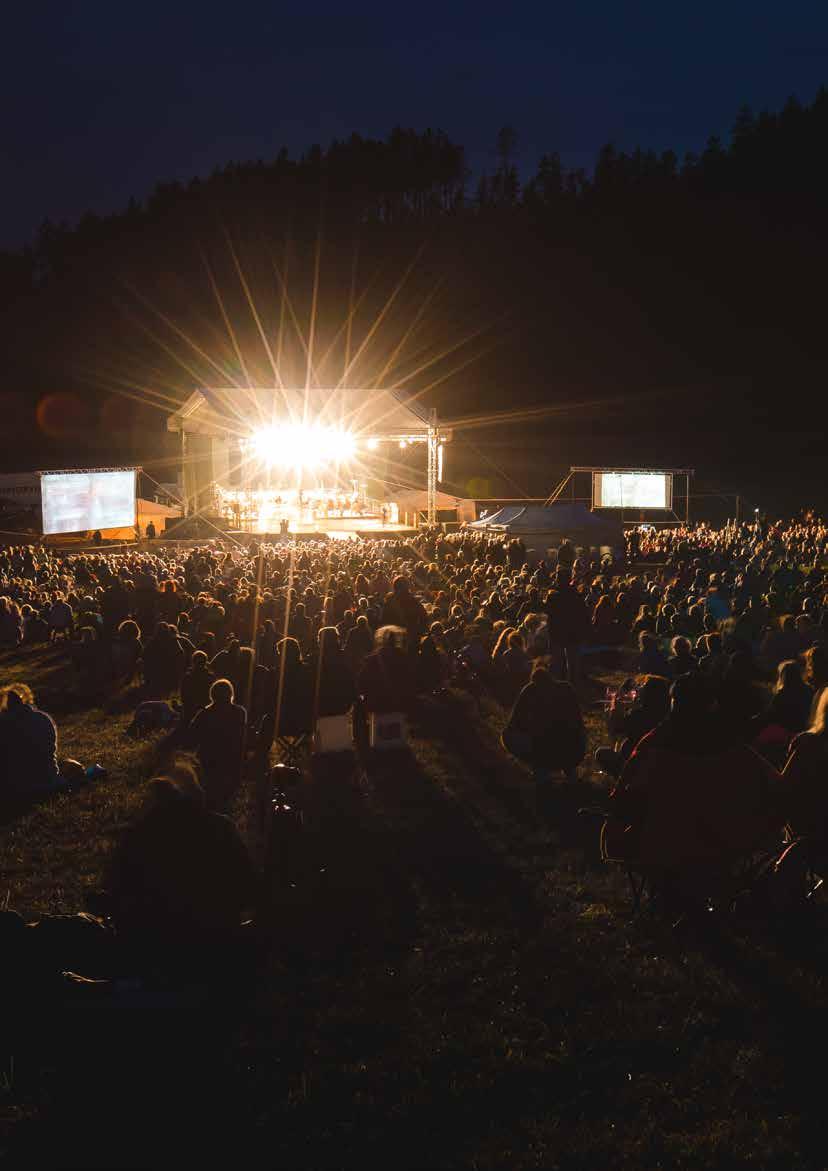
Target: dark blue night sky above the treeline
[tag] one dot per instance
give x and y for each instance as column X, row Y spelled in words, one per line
column 102, row 101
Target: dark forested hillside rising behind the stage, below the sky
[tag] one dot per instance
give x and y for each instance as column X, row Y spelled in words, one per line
column 656, row 312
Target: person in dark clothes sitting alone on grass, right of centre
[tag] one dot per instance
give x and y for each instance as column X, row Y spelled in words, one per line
column 546, row 728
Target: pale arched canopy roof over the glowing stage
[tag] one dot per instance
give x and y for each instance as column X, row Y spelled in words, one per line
column 230, row 412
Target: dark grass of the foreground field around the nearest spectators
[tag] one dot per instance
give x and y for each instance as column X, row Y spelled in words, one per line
column 461, row 985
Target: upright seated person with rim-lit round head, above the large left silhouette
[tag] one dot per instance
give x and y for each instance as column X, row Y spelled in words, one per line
column 218, row 736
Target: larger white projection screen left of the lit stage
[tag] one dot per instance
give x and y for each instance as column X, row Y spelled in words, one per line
column 77, row 502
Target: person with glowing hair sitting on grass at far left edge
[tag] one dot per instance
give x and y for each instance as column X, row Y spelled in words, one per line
column 30, row 769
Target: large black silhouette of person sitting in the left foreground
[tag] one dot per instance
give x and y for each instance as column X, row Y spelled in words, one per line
column 181, row 880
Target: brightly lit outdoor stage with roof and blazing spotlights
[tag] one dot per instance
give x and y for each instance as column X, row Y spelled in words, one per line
column 332, row 461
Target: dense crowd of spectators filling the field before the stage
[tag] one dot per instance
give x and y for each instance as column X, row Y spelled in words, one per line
column 726, row 629
